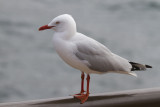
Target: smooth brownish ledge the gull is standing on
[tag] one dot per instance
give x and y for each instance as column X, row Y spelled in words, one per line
column 132, row 98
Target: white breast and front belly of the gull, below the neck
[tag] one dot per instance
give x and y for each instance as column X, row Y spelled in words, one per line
column 66, row 50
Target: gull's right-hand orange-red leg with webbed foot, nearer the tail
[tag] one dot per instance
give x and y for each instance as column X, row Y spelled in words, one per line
column 84, row 97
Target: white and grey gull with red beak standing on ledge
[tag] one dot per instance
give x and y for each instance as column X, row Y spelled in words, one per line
column 86, row 54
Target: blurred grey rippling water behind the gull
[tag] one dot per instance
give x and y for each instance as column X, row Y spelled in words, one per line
column 31, row 69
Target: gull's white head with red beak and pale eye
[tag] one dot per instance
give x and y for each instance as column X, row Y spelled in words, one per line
column 63, row 23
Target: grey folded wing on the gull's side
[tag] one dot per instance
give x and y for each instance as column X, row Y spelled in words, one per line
column 99, row 57
